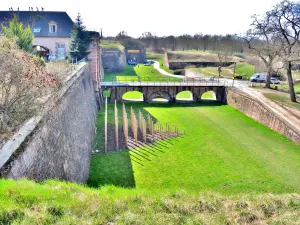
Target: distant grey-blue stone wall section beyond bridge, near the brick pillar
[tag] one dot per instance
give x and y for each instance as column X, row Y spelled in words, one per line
column 113, row 61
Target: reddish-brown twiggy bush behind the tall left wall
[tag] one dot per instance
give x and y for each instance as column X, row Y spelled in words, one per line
column 23, row 84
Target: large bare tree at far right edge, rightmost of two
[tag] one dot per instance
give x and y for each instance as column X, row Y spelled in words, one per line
column 285, row 20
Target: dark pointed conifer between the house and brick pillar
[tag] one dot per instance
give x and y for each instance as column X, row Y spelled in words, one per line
column 80, row 40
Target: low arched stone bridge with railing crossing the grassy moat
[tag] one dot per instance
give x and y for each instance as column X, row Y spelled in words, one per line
column 166, row 91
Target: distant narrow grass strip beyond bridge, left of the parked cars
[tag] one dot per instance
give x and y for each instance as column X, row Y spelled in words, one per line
column 241, row 69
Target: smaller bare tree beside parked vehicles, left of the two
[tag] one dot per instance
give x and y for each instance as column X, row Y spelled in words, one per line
column 262, row 43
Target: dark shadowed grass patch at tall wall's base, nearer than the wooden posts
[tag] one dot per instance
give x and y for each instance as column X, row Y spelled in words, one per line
column 111, row 169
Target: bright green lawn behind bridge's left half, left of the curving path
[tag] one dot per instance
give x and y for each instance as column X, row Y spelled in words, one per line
column 132, row 73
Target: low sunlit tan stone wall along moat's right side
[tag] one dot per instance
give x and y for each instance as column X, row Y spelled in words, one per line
column 262, row 114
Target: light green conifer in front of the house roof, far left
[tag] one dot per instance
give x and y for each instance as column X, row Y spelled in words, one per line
column 23, row 35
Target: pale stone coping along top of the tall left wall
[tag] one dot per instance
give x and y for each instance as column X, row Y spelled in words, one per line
column 10, row 147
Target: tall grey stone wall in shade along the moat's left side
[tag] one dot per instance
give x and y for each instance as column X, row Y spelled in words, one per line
column 59, row 146
